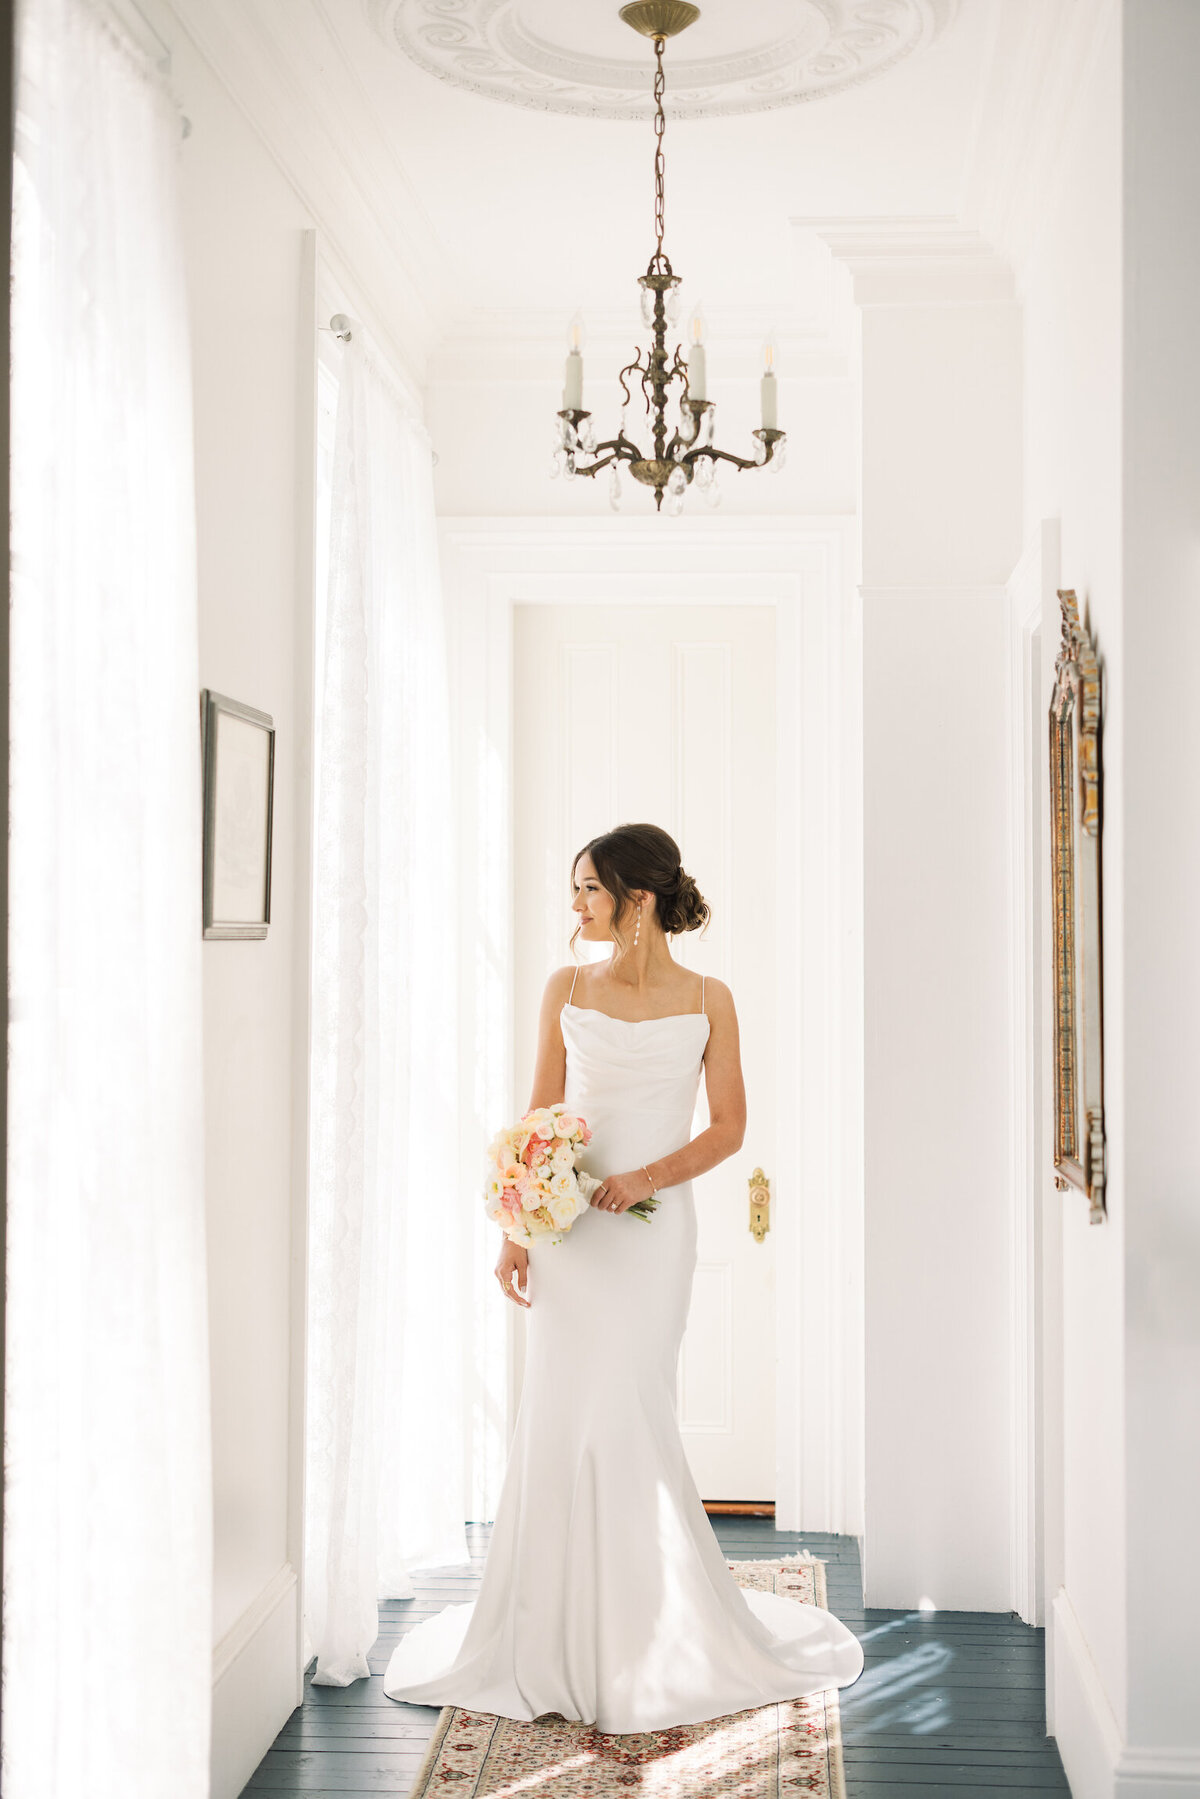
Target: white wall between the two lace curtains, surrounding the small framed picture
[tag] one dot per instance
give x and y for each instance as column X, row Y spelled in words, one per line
column 253, row 350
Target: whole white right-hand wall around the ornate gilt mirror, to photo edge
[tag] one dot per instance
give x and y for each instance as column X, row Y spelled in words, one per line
column 1113, row 397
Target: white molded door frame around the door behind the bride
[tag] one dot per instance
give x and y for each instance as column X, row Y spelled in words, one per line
column 805, row 571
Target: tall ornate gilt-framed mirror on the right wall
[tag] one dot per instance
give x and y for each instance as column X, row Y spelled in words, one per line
column 1077, row 913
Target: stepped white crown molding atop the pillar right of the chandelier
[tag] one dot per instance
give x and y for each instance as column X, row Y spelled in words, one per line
column 915, row 262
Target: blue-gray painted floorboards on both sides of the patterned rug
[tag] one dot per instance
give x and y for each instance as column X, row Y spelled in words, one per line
column 949, row 1705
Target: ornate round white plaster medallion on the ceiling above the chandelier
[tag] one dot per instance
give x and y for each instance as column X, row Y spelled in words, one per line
column 555, row 55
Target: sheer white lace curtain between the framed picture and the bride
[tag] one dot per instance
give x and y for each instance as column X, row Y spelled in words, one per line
column 390, row 1348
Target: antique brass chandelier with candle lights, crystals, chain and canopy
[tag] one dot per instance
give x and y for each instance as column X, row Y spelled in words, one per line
column 686, row 452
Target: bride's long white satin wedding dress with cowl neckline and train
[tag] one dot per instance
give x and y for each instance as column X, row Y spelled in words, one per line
column 605, row 1595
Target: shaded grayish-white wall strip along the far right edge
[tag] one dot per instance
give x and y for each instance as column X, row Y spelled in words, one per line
column 1161, row 852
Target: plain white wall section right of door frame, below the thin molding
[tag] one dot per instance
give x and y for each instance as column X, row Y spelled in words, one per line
column 936, row 1086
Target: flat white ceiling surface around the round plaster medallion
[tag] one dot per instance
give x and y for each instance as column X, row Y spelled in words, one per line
column 559, row 211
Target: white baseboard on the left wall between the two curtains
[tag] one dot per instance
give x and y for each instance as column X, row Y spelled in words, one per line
column 256, row 1683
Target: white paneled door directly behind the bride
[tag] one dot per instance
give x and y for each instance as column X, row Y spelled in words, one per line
column 668, row 715
